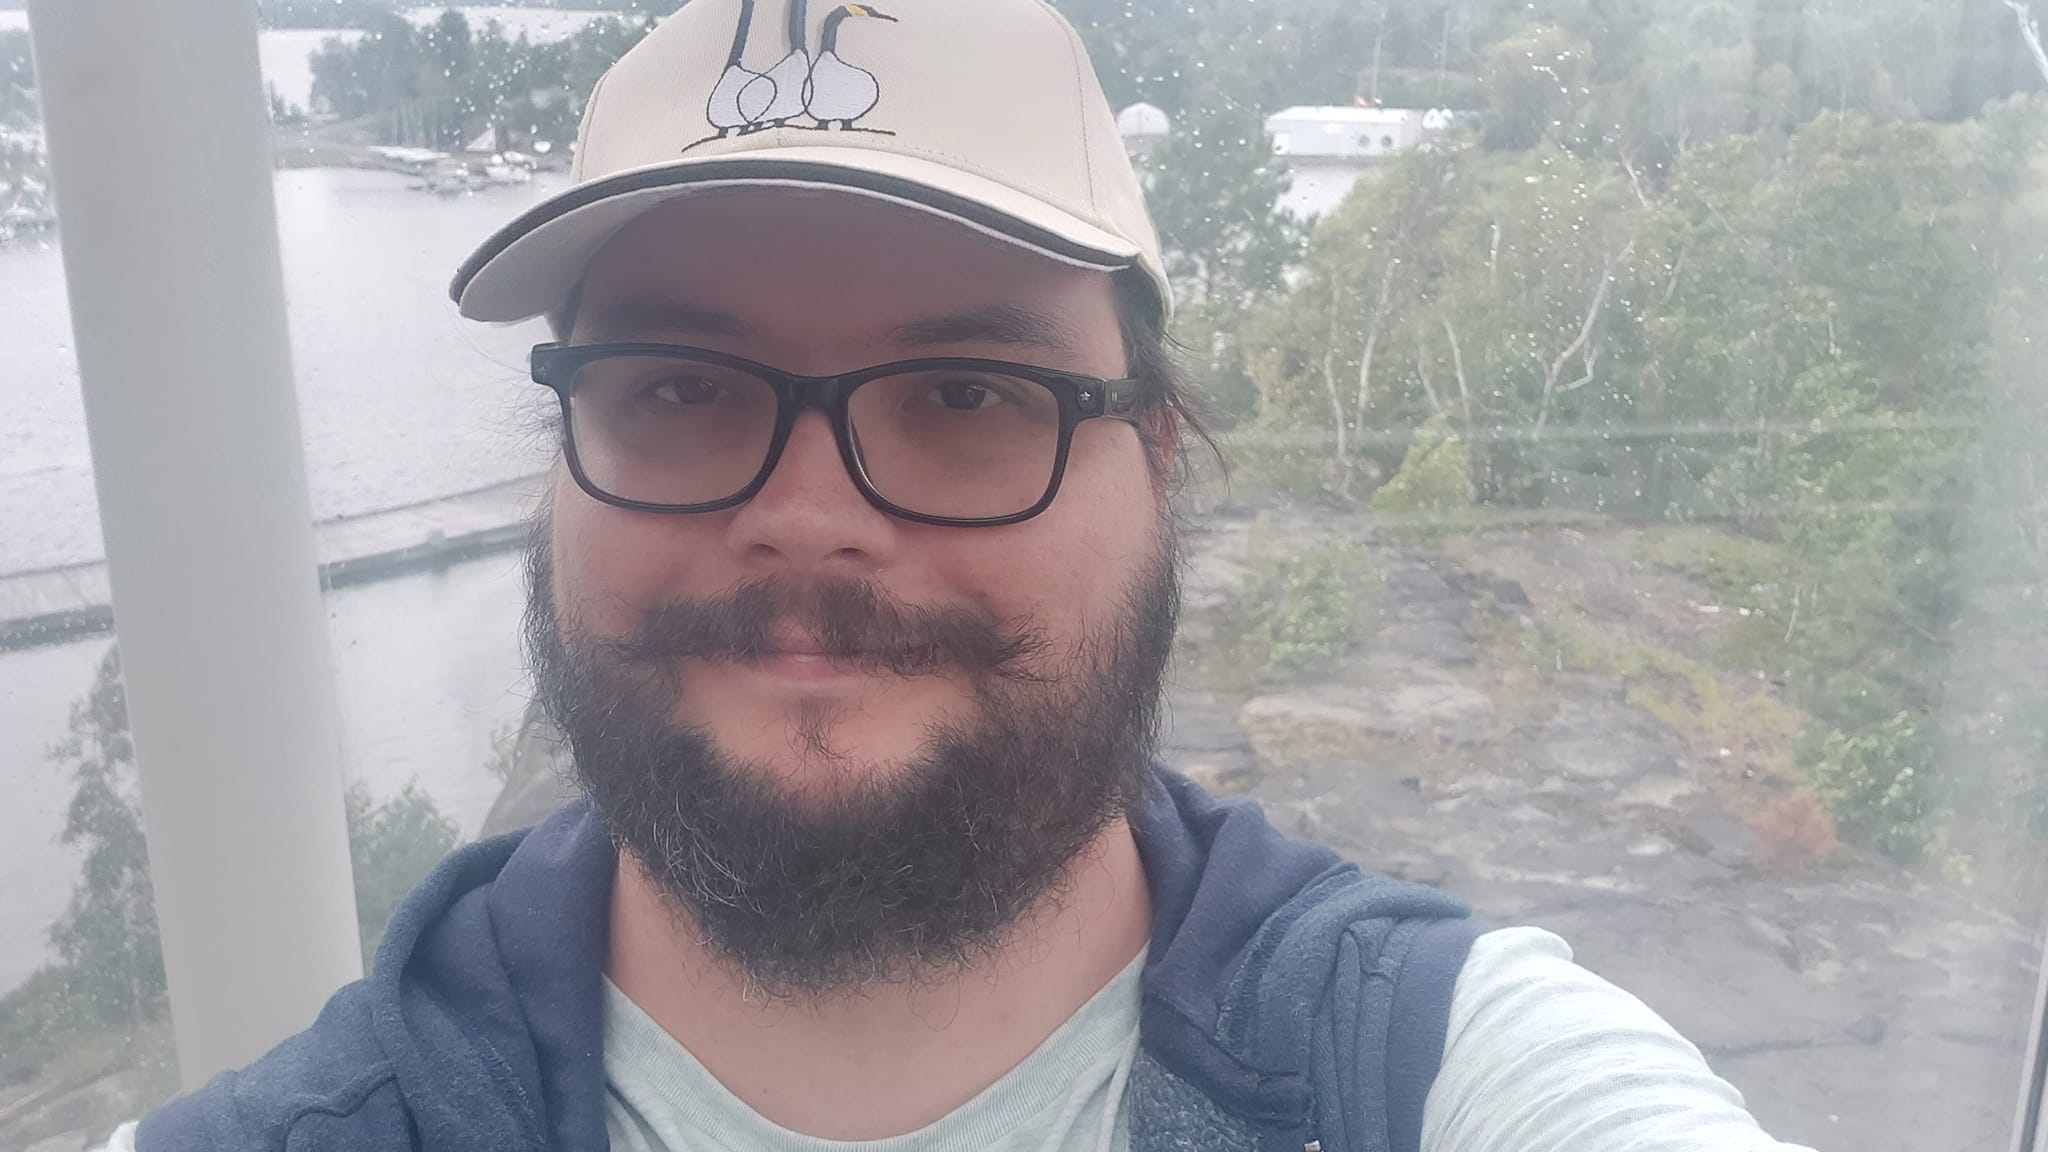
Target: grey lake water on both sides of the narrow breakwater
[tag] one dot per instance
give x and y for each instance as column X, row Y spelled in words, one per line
column 400, row 401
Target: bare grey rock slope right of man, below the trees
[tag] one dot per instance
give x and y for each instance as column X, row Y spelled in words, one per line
column 1852, row 1003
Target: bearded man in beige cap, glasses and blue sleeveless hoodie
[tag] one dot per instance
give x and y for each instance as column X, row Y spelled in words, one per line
column 855, row 598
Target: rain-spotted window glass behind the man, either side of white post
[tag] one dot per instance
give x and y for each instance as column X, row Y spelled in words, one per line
column 1633, row 522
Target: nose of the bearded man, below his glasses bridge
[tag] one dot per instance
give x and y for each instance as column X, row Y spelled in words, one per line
column 810, row 516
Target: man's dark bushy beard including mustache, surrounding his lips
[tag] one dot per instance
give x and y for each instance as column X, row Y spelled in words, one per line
column 902, row 872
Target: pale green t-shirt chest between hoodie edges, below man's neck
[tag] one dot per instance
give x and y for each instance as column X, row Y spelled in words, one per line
column 1064, row 1098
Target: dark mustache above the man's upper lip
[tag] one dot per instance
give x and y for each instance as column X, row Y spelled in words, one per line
column 847, row 622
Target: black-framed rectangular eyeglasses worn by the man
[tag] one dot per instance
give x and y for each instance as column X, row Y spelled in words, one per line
column 941, row 442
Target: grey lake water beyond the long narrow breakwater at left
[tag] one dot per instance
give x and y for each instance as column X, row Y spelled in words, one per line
column 400, row 399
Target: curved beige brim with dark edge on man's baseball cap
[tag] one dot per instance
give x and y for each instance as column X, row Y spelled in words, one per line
column 531, row 265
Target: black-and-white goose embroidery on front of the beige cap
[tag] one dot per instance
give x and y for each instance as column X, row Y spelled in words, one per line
column 830, row 91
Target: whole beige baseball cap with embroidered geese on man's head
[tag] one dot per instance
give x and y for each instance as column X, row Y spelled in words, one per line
column 978, row 112
